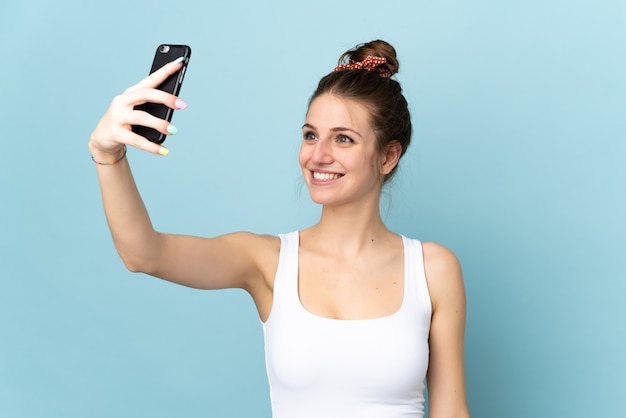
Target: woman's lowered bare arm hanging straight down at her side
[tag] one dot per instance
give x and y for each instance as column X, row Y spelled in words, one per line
column 446, row 375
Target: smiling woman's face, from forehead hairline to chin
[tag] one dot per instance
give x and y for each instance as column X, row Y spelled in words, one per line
column 339, row 155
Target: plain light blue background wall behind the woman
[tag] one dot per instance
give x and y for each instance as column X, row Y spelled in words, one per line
column 517, row 165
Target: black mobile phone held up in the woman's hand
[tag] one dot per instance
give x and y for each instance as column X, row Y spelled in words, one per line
column 164, row 54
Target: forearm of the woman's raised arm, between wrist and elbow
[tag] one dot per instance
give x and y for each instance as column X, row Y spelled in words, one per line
column 133, row 234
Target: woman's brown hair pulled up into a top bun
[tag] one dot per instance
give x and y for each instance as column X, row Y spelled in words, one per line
column 390, row 117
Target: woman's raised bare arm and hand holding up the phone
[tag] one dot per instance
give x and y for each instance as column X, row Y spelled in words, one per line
column 233, row 260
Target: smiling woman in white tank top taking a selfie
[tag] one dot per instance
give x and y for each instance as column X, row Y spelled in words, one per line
column 355, row 316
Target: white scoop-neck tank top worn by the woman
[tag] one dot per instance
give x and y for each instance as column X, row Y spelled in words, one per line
column 327, row 368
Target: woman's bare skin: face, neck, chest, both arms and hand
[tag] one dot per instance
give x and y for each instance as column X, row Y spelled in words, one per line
column 351, row 265
